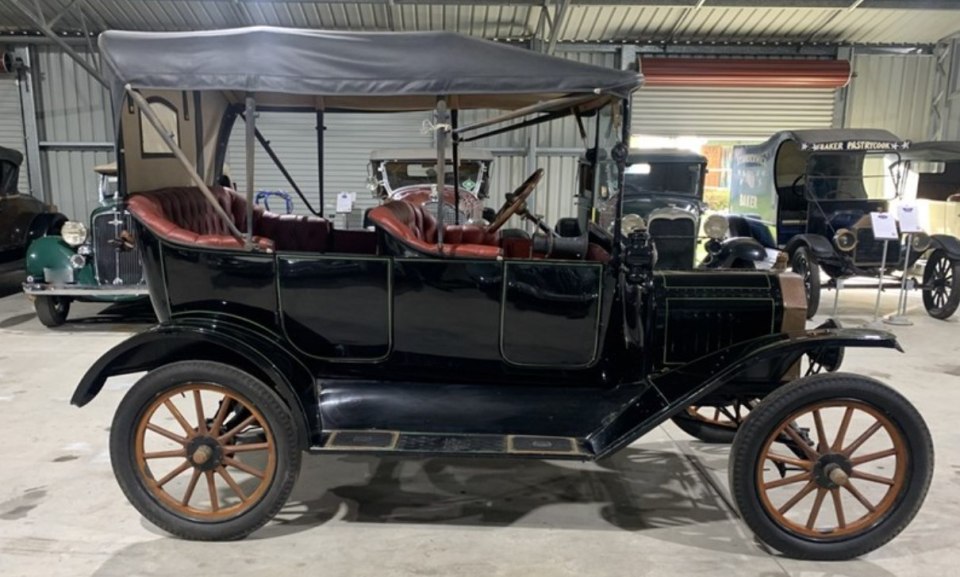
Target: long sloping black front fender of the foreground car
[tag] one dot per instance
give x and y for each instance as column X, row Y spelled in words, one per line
column 663, row 396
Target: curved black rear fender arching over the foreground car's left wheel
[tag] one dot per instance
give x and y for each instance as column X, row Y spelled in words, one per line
column 230, row 344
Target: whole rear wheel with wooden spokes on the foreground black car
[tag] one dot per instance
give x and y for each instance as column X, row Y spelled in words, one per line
column 204, row 451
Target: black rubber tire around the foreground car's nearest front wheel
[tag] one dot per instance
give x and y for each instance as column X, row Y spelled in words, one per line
column 900, row 505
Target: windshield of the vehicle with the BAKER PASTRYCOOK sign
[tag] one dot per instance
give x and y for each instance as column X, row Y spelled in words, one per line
column 851, row 176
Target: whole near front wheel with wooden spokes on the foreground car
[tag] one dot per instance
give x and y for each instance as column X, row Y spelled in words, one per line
column 831, row 466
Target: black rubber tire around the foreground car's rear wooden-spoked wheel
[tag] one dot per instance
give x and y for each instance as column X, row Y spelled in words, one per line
column 279, row 422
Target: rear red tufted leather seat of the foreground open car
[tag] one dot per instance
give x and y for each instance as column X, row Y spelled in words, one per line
column 183, row 215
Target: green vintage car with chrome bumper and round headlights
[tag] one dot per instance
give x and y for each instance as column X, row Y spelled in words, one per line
column 95, row 262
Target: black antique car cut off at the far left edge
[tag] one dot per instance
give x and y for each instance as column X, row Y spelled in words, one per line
column 23, row 218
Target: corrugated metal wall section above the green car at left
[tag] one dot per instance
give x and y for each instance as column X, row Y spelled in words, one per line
column 73, row 108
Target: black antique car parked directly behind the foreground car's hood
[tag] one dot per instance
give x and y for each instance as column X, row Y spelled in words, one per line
column 665, row 188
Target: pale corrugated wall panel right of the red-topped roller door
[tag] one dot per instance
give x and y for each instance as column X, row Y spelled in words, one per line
column 893, row 92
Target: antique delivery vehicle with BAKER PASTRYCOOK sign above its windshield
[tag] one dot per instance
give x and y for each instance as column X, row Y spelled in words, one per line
column 811, row 193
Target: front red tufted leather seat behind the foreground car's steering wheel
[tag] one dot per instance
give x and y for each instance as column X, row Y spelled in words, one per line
column 417, row 229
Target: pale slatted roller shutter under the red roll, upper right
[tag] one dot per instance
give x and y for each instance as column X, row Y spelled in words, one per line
column 729, row 113
